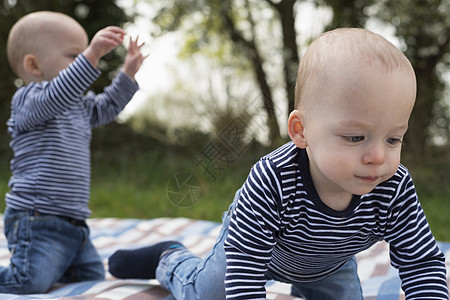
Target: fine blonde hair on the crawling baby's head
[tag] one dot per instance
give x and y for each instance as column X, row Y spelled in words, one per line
column 346, row 46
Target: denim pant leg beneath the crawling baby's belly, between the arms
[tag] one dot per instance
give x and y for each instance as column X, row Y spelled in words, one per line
column 343, row 284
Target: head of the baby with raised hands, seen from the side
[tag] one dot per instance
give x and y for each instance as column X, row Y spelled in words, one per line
column 43, row 43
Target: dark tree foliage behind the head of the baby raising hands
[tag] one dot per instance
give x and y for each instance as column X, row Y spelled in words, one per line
column 92, row 15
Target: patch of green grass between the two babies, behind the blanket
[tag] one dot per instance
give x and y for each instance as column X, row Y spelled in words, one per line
column 141, row 187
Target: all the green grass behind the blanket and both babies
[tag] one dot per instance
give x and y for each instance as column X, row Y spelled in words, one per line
column 135, row 179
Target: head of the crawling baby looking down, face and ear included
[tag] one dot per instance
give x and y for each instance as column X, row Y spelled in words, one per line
column 354, row 96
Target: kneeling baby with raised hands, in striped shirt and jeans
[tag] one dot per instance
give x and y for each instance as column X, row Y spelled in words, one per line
column 50, row 125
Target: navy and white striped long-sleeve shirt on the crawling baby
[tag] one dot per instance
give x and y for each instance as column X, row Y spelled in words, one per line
column 281, row 225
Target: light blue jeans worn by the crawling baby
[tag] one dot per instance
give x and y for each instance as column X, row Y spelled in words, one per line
column 189, row 277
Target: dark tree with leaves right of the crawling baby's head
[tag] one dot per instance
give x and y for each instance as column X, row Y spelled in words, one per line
column 424, row 29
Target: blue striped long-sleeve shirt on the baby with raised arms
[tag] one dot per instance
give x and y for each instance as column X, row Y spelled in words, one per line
column 51, row 125
